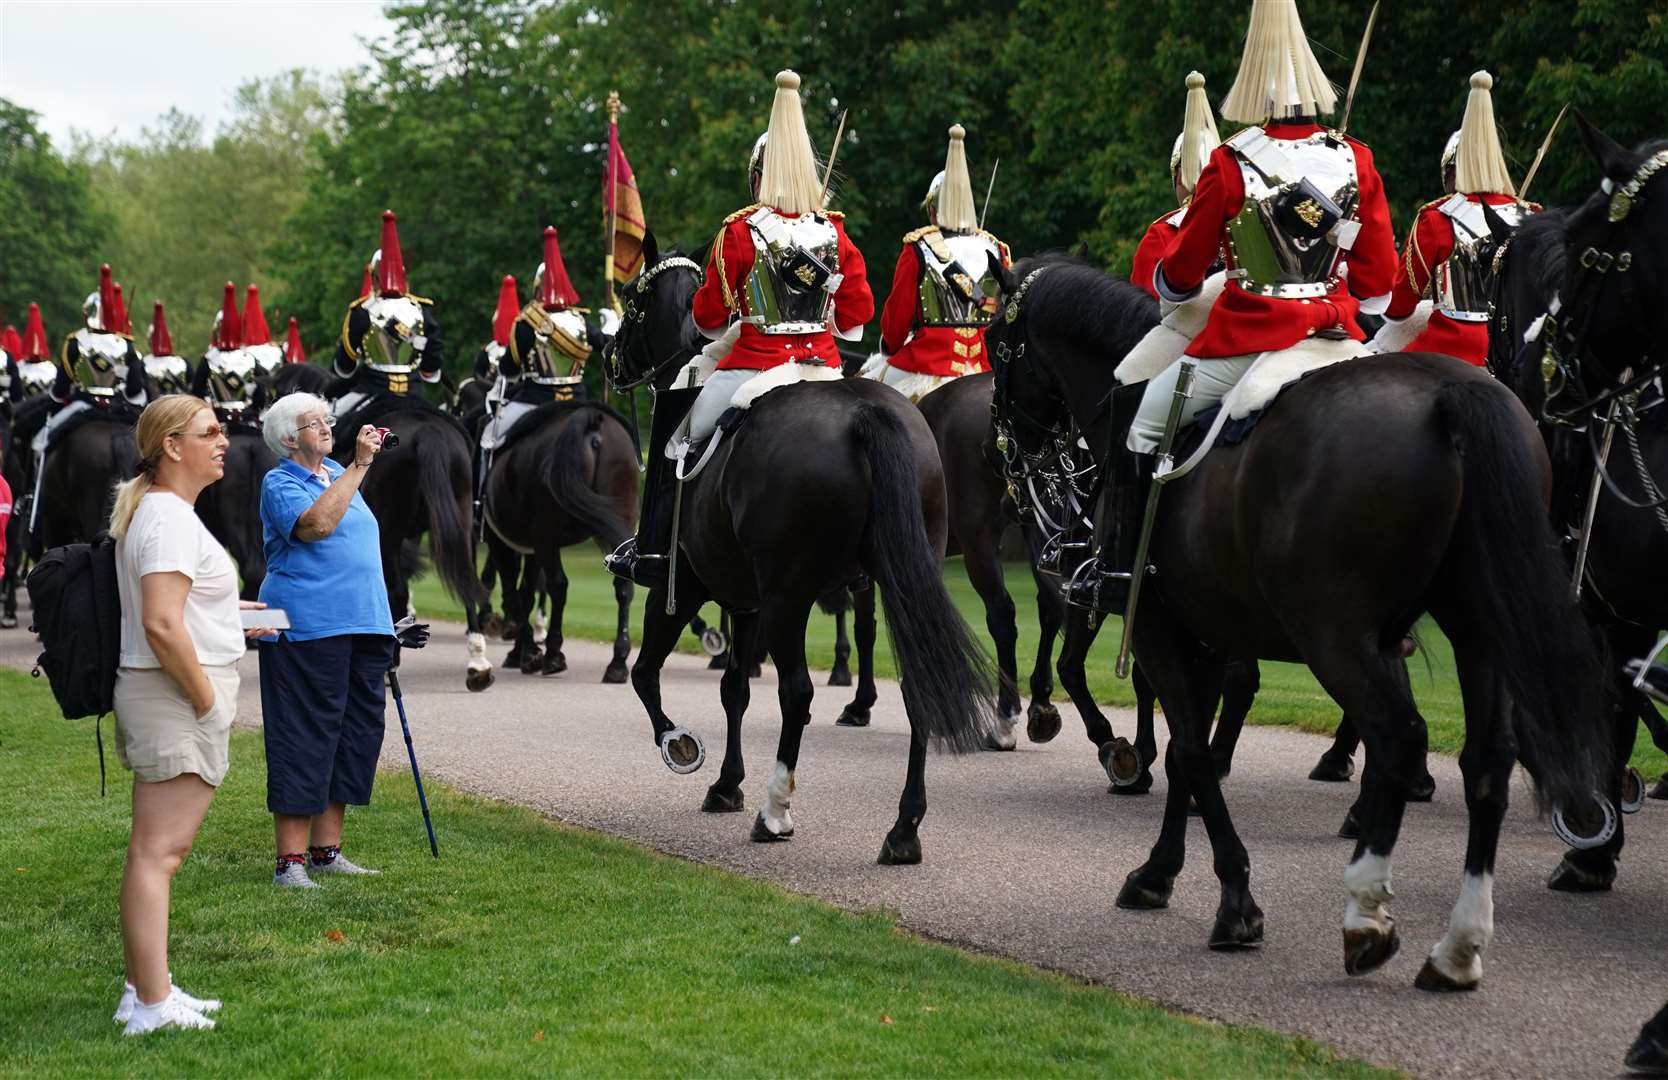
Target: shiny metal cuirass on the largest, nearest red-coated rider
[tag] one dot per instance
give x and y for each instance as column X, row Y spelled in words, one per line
column 1299, row 214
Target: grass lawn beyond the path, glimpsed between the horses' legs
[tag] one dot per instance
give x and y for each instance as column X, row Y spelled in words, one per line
column 1290, row 694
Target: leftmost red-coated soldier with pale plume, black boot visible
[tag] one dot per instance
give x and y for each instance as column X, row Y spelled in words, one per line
column 781, row 281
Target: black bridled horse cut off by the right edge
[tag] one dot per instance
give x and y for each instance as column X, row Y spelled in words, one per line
column 1567, row 361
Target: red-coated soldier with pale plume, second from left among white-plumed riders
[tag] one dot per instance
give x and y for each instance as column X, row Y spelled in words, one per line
column 935, row 318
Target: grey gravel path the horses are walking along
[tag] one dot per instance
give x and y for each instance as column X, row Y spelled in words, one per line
column 1025, row 854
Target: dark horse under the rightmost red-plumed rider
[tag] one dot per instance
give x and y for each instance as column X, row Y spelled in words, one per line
column 565, row 473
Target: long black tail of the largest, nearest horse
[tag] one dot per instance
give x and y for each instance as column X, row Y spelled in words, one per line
column 1515, row 595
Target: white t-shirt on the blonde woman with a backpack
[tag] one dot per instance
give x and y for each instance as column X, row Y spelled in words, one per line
column 168, row 537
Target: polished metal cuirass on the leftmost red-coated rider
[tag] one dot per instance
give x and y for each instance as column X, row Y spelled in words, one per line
column 791, row 260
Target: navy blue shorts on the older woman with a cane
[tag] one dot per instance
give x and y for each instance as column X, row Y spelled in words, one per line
column 323, row 715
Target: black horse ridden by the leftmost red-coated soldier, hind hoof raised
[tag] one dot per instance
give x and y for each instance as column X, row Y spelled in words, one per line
column 821, row 485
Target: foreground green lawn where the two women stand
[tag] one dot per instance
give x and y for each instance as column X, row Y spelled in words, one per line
column 528, row 949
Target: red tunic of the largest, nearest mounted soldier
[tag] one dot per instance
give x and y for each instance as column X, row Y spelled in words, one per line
column 1243, row 323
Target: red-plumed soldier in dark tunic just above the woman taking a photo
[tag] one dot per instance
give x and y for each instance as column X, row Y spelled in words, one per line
column 389, row 335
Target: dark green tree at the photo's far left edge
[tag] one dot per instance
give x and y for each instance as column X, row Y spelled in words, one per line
column 51, row 231
